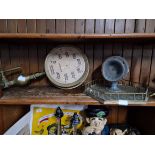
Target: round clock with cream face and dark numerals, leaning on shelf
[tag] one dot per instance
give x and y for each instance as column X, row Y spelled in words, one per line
column 66, row 67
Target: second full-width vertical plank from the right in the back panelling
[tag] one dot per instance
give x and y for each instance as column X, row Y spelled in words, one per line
column 137, row 53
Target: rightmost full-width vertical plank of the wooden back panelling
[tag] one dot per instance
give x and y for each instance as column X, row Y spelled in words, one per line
column 147, row 53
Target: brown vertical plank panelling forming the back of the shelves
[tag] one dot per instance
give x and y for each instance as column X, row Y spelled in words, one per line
column 141, row 58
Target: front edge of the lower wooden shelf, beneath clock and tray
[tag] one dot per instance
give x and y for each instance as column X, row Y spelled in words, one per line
column 70, row 100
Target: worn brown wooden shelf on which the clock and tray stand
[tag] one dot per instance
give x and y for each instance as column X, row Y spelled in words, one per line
column 49, row 95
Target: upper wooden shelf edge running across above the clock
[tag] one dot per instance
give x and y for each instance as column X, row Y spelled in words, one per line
column 51, row 36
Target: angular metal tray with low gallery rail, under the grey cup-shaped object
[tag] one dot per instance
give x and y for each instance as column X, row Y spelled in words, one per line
column 100, row 91
